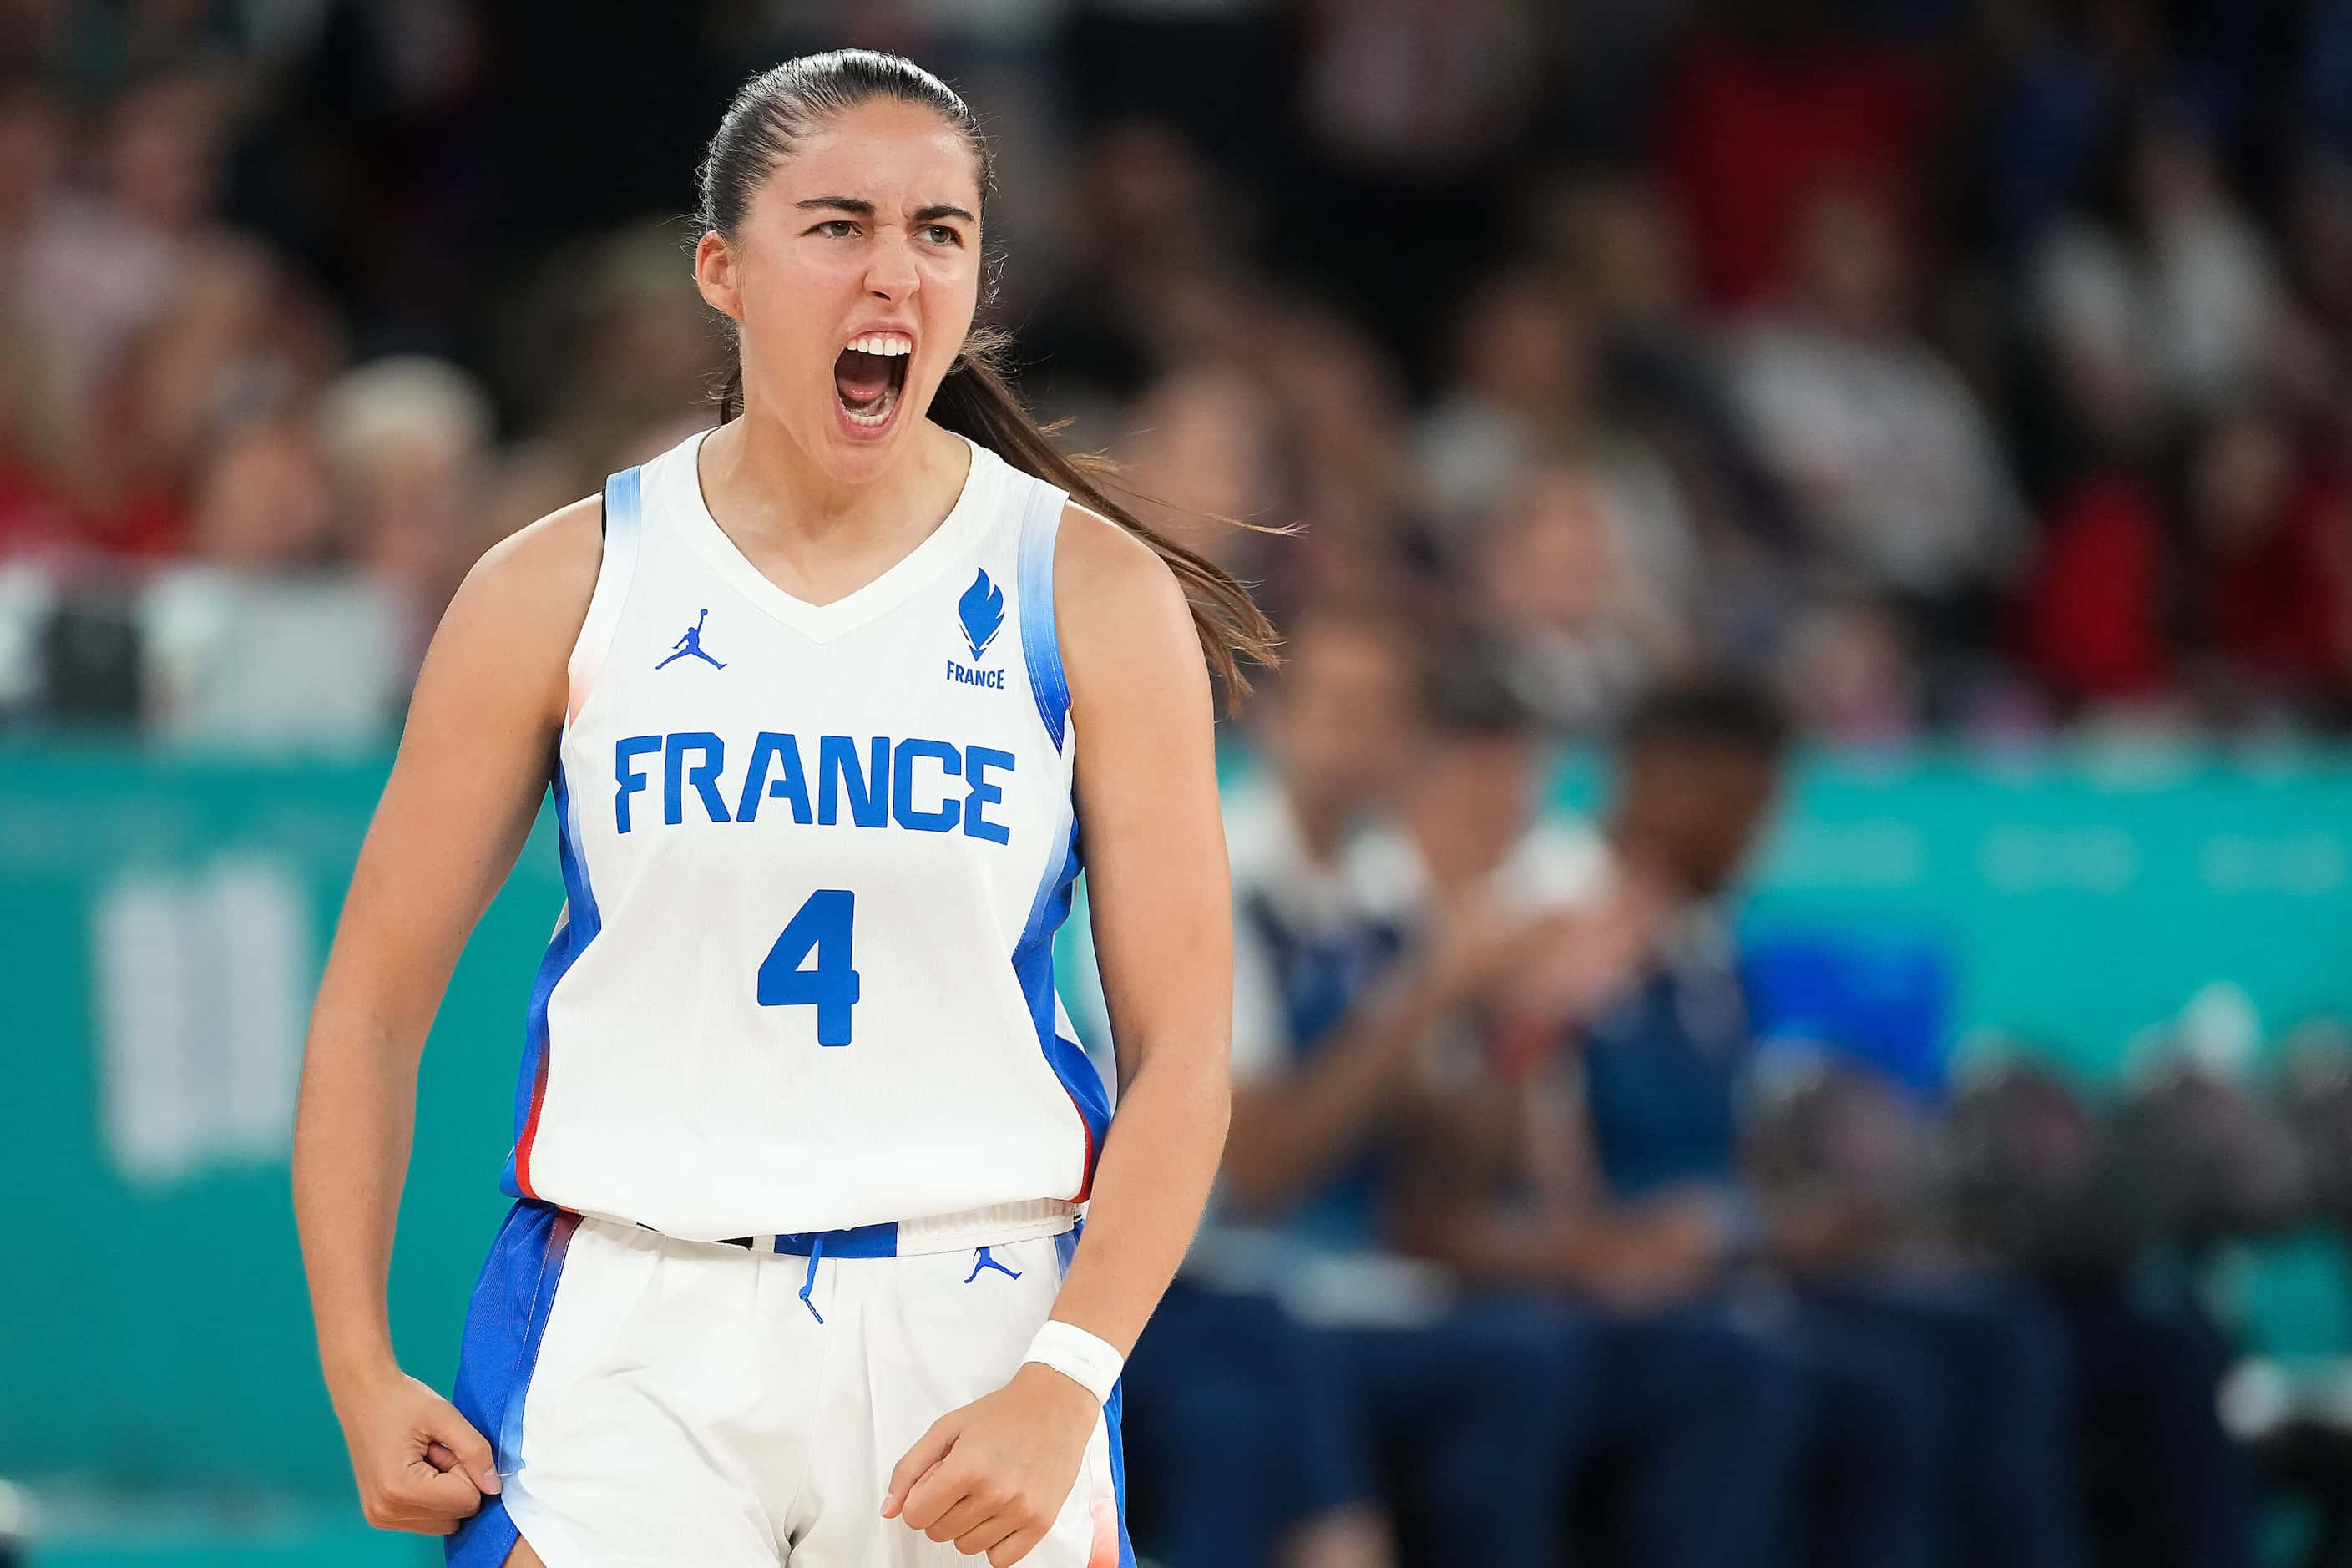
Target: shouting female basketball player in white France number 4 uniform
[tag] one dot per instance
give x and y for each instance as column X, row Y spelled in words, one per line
column 831, row 699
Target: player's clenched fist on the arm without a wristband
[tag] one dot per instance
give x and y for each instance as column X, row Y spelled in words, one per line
column 417, row 1461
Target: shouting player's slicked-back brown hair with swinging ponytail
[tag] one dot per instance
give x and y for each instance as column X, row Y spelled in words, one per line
column 975, row 401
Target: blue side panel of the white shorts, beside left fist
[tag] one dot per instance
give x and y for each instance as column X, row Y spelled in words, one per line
column 505, row 1329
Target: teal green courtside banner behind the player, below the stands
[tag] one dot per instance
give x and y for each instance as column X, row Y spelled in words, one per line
column 166, row 923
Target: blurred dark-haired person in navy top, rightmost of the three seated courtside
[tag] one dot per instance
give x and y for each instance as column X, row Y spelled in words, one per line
column 1935, row 1402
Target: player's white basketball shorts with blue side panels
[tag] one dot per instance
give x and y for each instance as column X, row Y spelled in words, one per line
column 660, row 1402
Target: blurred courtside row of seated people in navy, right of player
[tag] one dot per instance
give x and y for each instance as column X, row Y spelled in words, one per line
column 1537, row 1242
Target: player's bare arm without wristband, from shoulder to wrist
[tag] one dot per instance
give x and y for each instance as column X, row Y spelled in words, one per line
column 472, row 770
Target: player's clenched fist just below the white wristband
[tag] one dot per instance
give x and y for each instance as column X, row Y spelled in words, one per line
column 994, row 1475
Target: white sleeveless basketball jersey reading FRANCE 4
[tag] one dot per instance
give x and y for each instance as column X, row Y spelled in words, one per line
column 815, row 859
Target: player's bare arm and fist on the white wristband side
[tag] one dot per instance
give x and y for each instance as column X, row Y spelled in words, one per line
column 994, row 1473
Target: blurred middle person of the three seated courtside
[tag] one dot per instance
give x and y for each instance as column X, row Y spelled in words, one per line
column 1681, row 1407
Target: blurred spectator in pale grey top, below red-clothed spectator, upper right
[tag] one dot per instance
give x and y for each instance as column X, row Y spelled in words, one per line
column 1887, row 453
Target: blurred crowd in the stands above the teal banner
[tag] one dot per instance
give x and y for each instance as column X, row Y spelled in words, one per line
column 1960, row 366
